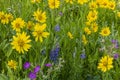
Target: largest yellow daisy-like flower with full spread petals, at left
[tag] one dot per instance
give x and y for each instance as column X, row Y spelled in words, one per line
column 21, row 42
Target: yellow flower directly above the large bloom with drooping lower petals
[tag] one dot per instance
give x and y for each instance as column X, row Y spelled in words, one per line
column 40, row 16
